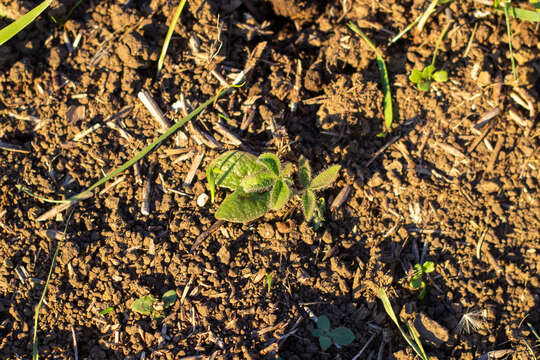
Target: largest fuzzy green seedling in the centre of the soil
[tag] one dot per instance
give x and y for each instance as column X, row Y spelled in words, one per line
column 261, row 184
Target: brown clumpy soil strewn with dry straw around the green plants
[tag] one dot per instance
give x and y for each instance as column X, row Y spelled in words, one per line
column 431, row 189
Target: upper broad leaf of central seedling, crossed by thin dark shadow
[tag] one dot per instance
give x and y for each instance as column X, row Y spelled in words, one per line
column 232, row 166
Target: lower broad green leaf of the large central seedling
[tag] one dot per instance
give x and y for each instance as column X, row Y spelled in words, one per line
column 242, row 207
